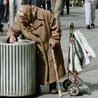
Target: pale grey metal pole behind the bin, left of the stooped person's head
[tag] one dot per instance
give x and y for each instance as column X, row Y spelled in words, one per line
column 11, row 12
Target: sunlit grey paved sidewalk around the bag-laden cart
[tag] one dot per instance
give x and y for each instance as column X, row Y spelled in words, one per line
column 90, row 72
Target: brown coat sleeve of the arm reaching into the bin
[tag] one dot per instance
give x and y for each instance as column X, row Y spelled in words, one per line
column 14, row 30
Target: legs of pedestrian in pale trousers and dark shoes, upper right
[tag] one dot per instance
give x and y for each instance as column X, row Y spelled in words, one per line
column 90, row 7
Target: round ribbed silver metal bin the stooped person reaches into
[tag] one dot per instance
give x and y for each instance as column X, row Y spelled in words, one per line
column 17, row 68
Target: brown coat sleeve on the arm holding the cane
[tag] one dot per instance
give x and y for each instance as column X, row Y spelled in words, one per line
column 54, row 28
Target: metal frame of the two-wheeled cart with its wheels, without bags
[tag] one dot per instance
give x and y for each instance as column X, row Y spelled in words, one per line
column 73, row 88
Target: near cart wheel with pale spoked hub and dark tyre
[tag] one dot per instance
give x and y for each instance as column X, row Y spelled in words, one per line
column 73, row 90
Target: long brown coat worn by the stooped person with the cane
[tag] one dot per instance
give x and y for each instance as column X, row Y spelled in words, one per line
column 46, row 28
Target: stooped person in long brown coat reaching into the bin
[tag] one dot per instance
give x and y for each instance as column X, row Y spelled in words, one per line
column 40, row 26
